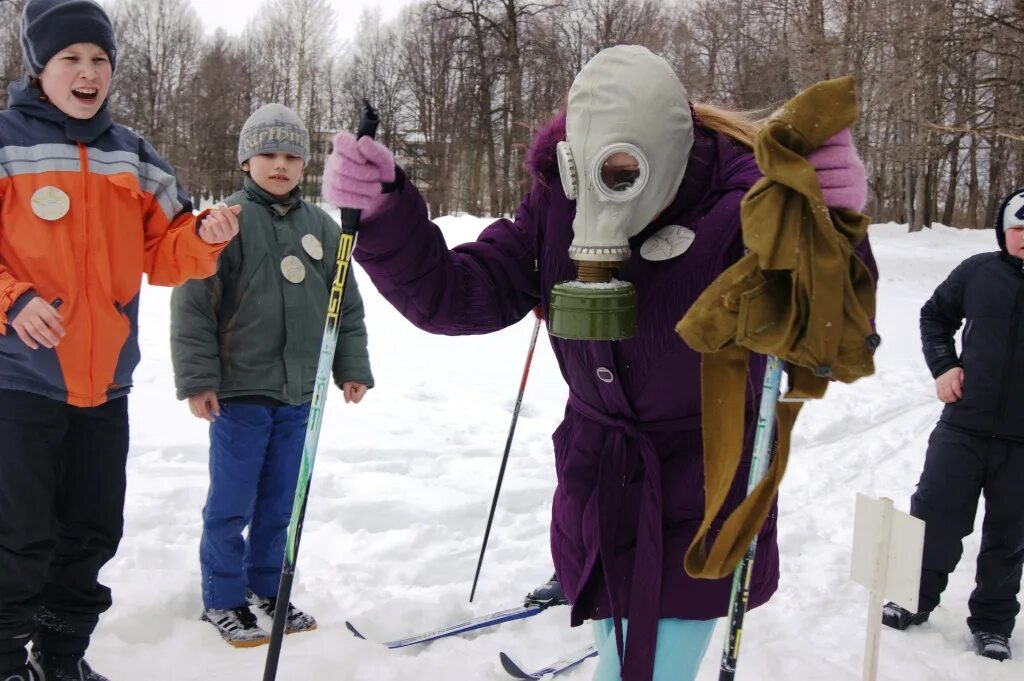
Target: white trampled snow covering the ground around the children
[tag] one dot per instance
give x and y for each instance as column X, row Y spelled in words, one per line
column 404, row 483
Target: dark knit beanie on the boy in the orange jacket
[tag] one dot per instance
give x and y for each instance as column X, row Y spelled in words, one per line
column 51, row 26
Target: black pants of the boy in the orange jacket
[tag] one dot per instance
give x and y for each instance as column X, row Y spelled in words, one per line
column 62, row 504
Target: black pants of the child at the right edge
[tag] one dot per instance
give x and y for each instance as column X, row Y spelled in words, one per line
column 959, row 467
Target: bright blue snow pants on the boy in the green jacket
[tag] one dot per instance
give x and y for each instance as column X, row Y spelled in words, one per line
column 255, row 454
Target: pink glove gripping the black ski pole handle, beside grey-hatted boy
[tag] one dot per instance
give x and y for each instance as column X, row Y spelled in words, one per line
column 355, row 172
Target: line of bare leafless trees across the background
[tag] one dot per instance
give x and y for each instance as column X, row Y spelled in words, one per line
column 460, row 83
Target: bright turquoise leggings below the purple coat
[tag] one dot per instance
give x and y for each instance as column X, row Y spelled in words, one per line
column 681, row 647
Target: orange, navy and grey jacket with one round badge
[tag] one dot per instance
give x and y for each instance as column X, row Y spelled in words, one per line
column 86, row 208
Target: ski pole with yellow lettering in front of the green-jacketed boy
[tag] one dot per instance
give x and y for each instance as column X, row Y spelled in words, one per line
column 350, row 231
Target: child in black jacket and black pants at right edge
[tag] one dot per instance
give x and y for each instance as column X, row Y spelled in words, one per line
column 978, row 445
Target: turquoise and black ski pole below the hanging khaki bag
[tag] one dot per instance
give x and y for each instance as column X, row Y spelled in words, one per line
column 763, row 439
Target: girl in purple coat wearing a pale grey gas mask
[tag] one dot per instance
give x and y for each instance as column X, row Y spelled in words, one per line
column 652, row 187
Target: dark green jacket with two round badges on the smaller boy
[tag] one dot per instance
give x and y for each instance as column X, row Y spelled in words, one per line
column 249, row 330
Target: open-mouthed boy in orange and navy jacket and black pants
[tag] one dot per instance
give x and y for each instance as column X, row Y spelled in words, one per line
column 87, row 207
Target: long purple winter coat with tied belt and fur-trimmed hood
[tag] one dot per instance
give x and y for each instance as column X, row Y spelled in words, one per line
column 628, row 454
